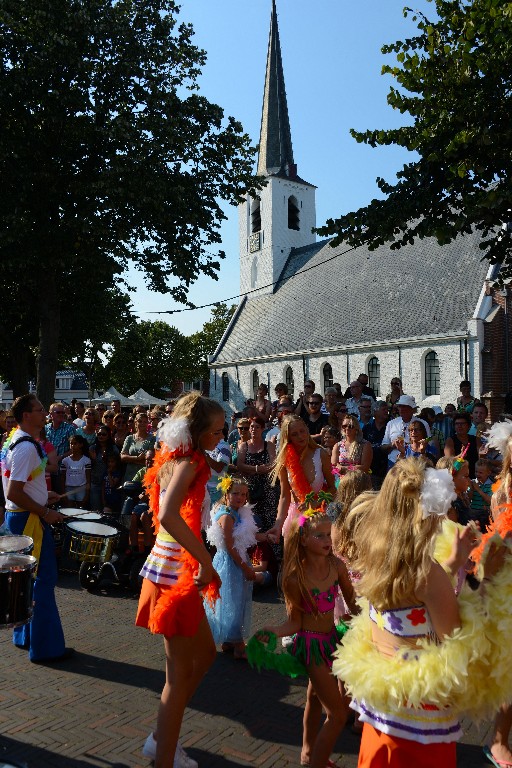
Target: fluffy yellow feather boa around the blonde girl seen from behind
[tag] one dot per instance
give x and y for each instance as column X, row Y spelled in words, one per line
column 470, row 671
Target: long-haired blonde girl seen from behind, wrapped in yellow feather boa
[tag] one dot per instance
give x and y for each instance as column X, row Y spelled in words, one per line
column 417, row 657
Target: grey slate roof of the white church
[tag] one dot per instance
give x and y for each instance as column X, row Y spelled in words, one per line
column 360, row 296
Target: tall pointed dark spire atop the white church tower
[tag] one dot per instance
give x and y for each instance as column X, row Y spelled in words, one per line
column 276, row 153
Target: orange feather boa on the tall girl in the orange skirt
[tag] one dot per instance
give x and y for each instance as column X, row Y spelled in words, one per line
column 190, row 511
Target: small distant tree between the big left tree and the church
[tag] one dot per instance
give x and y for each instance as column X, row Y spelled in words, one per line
column 151, row 355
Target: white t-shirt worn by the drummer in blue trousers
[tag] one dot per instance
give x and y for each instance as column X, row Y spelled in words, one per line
column 19, row 465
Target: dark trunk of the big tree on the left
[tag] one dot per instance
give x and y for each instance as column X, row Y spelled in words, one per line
column 49, row 334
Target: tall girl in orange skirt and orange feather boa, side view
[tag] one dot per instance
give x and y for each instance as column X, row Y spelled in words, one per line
column 179, row 568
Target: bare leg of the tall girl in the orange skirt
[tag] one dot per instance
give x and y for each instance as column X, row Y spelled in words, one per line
column 187, row 661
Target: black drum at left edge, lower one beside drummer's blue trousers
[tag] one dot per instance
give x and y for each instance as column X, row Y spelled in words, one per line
column 16, row 587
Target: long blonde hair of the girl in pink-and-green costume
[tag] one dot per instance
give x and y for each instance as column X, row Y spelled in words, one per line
column 294, row 562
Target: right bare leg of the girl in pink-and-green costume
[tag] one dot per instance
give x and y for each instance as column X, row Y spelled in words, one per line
column 328, row 693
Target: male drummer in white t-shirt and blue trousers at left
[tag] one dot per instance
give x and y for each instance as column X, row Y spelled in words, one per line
column 23, row 461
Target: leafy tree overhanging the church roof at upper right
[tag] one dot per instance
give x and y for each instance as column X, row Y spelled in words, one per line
column 455, row 80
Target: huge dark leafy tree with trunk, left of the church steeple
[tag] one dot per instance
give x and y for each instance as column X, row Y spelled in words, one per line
column 108, row 154
